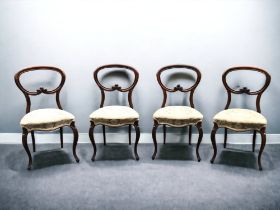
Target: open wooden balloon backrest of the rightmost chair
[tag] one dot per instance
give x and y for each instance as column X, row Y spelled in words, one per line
column 245, row 90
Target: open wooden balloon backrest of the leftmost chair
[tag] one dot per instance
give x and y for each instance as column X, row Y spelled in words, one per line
column 40, row 90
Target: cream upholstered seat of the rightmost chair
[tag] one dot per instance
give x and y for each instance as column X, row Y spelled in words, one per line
column 240, row 119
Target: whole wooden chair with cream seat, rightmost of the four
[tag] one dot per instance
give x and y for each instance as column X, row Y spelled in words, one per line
column 242, row 119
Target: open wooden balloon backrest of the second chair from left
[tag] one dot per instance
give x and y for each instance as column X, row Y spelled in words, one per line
column 116, row 86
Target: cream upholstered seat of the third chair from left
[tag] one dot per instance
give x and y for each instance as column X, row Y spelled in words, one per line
column 177, row 116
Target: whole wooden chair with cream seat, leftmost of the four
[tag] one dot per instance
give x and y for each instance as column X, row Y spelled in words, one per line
column 44, row 119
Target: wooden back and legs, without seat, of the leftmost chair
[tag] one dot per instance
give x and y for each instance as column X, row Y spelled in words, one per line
column 39, row 91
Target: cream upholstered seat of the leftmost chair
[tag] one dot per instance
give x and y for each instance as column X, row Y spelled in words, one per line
column 46, row 119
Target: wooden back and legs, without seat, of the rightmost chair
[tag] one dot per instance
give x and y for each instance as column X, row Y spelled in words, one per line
column 247, row 91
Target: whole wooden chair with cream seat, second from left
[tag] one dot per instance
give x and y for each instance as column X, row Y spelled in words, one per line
column 115, row 116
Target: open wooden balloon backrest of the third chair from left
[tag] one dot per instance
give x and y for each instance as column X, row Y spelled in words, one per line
column 191, row 89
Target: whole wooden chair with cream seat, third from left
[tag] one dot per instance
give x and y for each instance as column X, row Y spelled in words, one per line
column 178, row 116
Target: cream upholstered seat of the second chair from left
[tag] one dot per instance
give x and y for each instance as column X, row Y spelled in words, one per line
column 114, row 116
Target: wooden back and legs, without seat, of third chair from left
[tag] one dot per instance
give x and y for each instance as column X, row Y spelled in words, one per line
column 165, row 89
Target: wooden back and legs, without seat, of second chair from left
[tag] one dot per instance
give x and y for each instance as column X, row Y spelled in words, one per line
column 116, row 87
